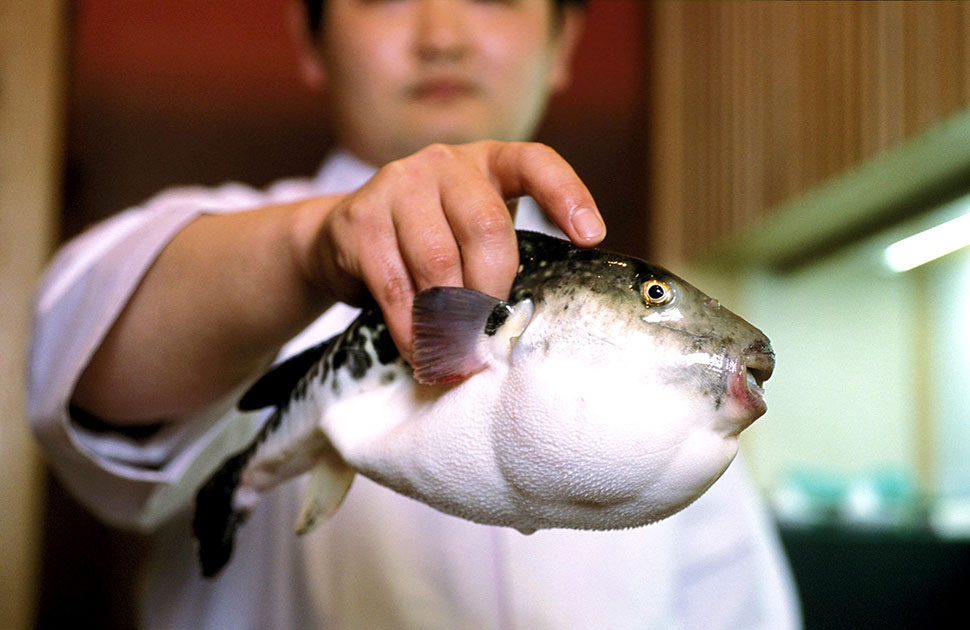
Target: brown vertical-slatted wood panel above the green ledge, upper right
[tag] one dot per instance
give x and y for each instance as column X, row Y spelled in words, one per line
column 763, row 101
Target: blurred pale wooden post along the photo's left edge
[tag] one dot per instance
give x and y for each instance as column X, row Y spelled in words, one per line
column 31, row 91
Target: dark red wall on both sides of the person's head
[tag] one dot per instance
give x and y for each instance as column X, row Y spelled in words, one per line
column 188, row 91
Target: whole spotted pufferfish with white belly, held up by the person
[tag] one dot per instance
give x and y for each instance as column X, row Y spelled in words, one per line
column 584, row 401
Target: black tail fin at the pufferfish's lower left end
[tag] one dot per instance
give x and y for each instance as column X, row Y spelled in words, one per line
column 216, row 520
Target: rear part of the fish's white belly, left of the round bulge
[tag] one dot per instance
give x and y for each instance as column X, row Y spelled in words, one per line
column 431, row 443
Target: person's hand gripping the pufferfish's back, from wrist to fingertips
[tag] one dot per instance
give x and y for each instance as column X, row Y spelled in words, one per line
column 439, row 218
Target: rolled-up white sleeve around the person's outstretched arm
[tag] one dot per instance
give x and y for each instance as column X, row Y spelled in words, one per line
column 127, row 479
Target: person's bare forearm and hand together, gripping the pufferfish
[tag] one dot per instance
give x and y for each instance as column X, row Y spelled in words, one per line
column 230, row 289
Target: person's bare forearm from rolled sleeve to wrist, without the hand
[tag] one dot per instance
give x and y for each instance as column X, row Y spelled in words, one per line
column 212, row 311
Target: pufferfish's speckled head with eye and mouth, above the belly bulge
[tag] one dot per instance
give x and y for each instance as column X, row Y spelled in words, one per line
column 668, row 328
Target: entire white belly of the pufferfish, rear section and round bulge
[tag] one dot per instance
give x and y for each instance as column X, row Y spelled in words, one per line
column 551, row 441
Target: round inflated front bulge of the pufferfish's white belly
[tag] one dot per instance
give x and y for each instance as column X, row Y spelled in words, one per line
column 589, row 444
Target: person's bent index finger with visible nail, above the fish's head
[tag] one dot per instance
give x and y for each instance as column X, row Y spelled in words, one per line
column 528, row 168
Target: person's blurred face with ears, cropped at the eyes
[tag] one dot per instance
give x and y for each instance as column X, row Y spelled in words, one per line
column 402, row 74
